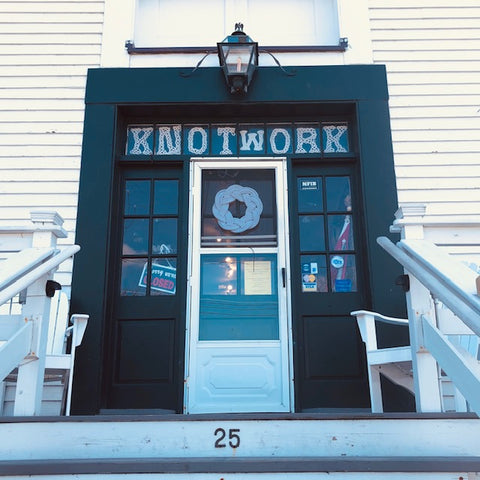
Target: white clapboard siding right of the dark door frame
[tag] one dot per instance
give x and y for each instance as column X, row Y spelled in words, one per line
column 431, row 49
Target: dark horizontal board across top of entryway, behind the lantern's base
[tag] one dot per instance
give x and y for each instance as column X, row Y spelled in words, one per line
column 345, row 83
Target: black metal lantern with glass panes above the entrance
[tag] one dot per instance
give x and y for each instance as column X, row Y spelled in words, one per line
column 238, row 56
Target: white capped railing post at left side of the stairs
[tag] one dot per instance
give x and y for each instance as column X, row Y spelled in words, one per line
column 29, row 389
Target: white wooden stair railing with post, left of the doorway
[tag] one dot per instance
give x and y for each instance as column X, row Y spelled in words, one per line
column 23, row 340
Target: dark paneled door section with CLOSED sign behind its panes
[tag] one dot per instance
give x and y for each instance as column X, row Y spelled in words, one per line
column 144, row 341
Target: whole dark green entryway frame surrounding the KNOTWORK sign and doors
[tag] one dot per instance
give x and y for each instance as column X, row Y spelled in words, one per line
column 360, row 90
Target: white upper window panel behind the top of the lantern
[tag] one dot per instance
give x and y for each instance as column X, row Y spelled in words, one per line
column 187, row 23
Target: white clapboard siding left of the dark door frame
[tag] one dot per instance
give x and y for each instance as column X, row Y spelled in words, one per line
column 46, row 48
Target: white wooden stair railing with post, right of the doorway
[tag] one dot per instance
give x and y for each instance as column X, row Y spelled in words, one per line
column 436, row 277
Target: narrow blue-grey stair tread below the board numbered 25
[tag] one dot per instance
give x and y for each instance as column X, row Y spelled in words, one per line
column 241, row 465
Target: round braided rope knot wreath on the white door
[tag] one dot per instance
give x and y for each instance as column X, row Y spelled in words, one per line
column 246, row 195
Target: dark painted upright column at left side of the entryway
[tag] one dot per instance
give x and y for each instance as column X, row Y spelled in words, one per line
column 90, row 265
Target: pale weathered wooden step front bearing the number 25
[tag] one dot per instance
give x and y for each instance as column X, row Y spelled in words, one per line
column 237, row 437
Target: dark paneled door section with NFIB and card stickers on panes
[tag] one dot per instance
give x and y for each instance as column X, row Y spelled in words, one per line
column 328, row 282
